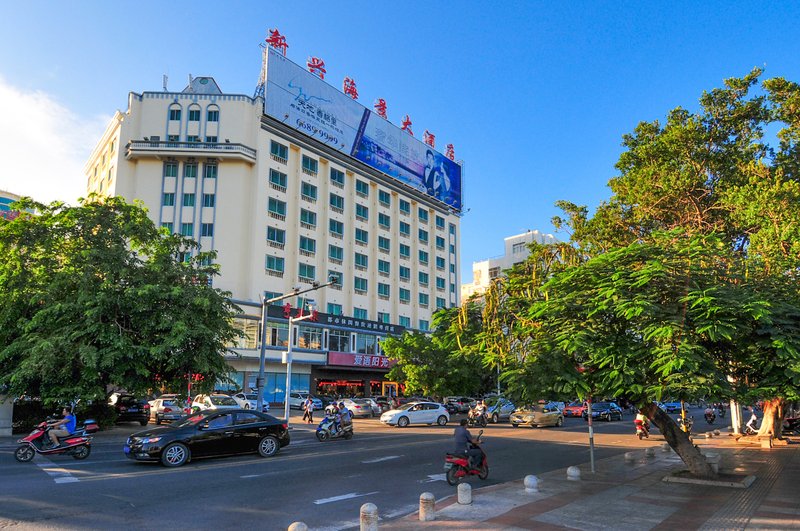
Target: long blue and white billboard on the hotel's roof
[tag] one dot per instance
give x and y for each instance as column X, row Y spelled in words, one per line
column 300, row 99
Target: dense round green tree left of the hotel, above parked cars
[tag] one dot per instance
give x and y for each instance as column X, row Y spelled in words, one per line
column 95, row 296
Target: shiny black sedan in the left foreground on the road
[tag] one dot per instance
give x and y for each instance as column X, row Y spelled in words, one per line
column 209, row 433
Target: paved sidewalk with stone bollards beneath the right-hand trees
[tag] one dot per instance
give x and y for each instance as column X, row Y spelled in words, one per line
column 632, row 496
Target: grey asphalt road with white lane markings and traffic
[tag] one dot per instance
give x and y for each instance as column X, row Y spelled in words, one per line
column 321, row 484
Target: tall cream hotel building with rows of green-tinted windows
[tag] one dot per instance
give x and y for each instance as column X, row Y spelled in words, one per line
column 285, row 209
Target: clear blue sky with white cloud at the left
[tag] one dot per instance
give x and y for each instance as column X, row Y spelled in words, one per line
column 535, row 96
